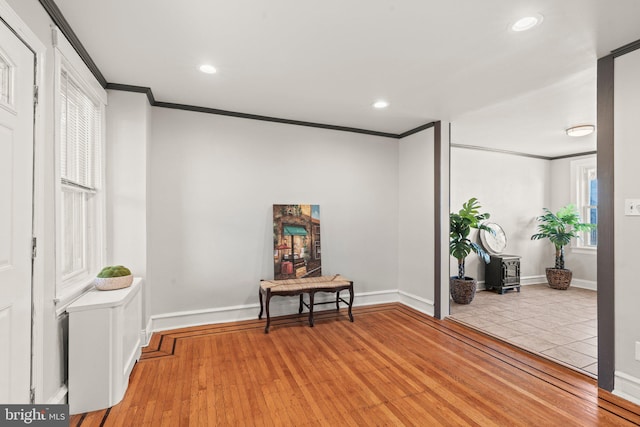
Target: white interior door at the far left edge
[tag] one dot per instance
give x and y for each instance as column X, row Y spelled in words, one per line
column 16, row 176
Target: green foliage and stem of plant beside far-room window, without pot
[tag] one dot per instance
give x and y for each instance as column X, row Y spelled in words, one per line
column 560, row 228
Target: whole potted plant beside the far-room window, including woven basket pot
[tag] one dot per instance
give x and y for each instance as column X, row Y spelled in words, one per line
column 560, row 228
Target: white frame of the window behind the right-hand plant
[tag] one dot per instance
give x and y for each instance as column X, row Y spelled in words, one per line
column 580, row 171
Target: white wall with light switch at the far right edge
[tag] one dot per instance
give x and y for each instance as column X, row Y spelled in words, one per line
column 627, row 228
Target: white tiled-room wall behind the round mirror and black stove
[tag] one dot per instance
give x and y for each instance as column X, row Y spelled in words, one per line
column 513, row 189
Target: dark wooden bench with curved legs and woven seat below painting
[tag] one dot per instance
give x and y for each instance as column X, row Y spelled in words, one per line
column 307, row 285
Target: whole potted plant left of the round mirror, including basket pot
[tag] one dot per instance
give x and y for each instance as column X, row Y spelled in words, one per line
column 463, row 288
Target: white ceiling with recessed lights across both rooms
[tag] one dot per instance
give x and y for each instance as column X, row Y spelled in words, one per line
column 328, row 61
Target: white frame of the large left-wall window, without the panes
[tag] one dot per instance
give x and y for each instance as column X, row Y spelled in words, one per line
column 69, row 288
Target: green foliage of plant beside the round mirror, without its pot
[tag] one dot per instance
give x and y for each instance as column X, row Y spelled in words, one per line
column 460, row 226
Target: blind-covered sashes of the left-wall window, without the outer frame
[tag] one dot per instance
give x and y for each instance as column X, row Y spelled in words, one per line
column 80, row 147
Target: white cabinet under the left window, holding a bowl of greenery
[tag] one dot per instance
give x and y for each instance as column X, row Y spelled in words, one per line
column 104, row 345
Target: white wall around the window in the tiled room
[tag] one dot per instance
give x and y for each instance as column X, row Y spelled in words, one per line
column 583, row 265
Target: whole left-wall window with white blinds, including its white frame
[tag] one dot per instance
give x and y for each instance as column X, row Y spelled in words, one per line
column 80, row 104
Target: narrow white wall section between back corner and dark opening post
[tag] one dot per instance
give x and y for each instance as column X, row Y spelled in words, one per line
column 416, row 219
